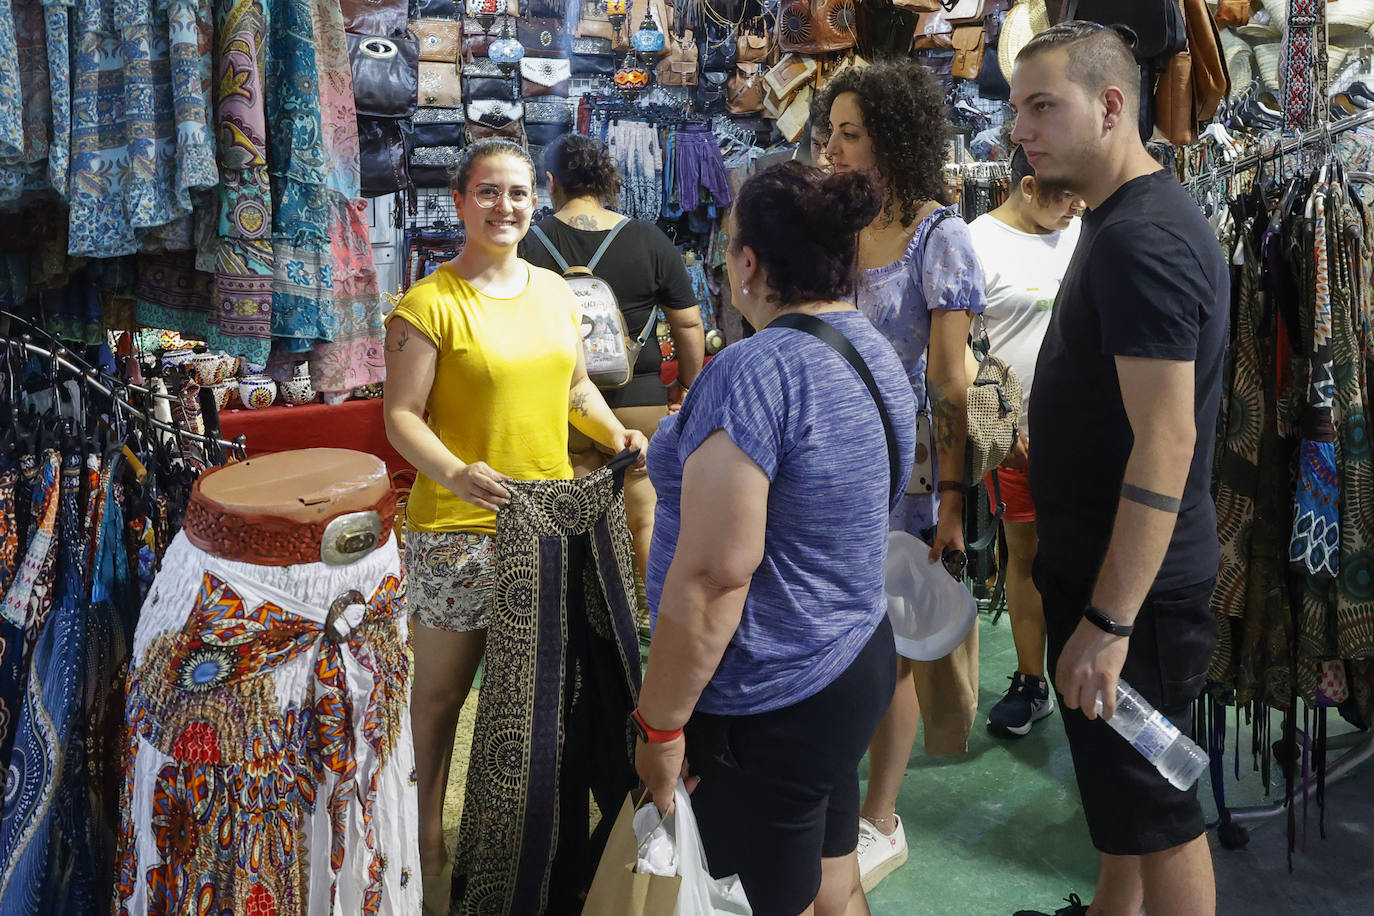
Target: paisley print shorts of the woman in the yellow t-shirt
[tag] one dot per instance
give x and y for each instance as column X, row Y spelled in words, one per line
column 449, row 579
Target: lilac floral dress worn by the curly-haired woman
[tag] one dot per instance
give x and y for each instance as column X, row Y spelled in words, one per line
column 938, row 274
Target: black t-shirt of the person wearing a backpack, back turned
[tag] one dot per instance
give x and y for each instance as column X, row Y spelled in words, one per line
column 644, row 268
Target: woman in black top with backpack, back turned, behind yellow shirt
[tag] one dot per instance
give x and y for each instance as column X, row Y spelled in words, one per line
column 646, row 273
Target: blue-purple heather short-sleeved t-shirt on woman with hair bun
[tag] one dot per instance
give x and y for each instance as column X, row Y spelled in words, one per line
column 799, row 410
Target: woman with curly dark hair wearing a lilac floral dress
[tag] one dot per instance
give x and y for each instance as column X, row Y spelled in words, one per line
column 920, row 285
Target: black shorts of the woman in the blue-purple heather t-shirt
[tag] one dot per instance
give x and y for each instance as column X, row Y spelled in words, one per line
column 780, row 792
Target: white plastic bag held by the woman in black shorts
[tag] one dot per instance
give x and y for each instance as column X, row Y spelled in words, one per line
column 700, row 893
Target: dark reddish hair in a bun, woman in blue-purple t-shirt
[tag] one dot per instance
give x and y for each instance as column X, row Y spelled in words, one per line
column 804, row 227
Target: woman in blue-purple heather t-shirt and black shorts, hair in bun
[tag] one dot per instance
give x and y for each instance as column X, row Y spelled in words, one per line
column 772, row 641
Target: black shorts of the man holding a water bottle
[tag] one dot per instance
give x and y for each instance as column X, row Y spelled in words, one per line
column 1131, row 810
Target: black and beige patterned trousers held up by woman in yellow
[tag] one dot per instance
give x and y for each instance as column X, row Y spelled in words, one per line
column 560, row 679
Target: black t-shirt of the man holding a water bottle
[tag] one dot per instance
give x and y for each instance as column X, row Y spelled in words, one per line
column 1147, row 281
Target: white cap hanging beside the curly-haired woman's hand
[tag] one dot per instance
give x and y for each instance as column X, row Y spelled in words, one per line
column 931, row 613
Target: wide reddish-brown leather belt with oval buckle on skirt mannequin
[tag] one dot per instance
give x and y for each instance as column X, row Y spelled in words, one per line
column 271, row 540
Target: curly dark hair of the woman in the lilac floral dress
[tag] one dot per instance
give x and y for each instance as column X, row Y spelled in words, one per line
column 905, row 113
